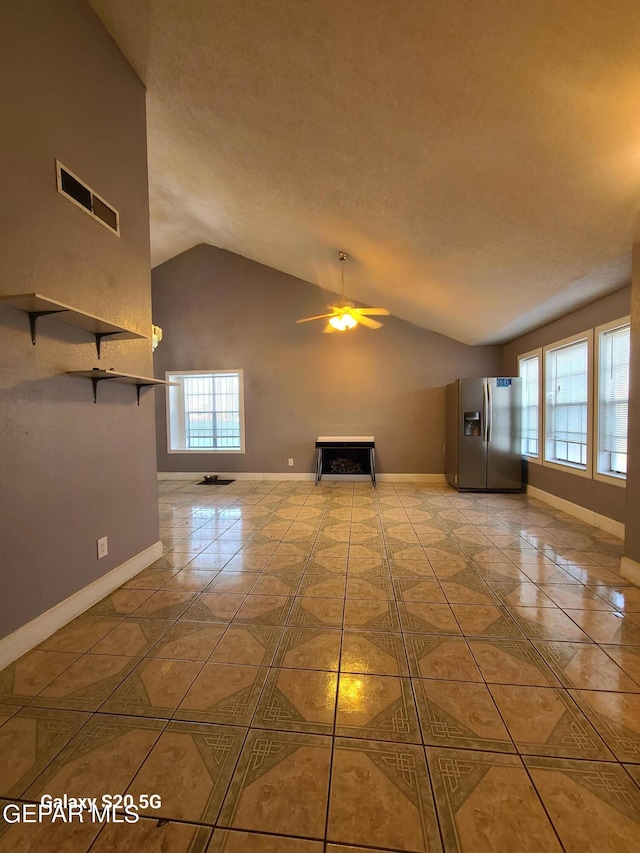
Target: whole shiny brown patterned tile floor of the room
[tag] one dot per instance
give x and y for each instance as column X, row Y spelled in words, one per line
column 333, row 669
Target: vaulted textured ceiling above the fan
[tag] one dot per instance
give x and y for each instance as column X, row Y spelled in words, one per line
column 478, row 159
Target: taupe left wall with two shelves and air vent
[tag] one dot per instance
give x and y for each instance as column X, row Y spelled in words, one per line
column 71, row 471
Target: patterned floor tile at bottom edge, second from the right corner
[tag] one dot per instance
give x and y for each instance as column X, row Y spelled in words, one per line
column 486, row 803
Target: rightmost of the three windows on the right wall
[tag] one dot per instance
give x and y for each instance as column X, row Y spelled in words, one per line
column 613, row 341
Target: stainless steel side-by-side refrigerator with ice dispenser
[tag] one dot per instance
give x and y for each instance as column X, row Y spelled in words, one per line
column 482, row 452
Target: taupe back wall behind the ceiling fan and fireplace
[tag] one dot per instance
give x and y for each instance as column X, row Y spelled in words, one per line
column 220, row 310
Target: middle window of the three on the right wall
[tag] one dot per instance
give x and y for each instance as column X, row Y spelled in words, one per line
column 567, row 403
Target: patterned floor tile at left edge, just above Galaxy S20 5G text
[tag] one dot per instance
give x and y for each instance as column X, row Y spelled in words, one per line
column 29, row 740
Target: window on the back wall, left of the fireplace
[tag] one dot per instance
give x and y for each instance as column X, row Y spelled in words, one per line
column 205, row 412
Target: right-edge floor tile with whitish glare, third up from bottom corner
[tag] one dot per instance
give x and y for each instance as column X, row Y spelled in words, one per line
column 585, row 666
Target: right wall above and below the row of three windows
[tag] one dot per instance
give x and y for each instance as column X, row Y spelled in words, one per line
column 605, row 499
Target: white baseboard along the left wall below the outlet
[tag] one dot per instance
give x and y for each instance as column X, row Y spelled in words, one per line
column 26, row 637
